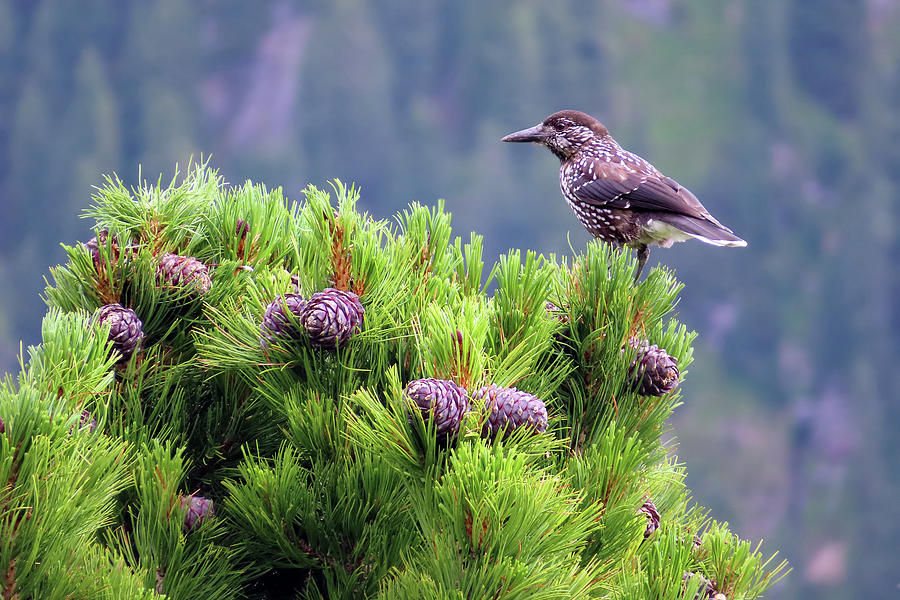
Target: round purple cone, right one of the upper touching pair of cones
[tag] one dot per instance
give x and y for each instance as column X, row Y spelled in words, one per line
column 331, row 317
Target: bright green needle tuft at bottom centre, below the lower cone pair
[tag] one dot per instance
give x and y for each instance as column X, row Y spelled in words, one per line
column 497, row 525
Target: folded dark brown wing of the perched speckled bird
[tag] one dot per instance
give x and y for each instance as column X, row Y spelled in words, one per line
column 636, row 186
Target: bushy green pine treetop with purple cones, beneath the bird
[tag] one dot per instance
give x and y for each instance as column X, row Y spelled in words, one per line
column 239, row 397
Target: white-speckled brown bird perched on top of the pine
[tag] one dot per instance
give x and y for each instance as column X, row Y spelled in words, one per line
column 618, row 196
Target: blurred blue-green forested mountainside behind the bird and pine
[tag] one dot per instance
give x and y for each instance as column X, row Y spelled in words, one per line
column 782, row 115
